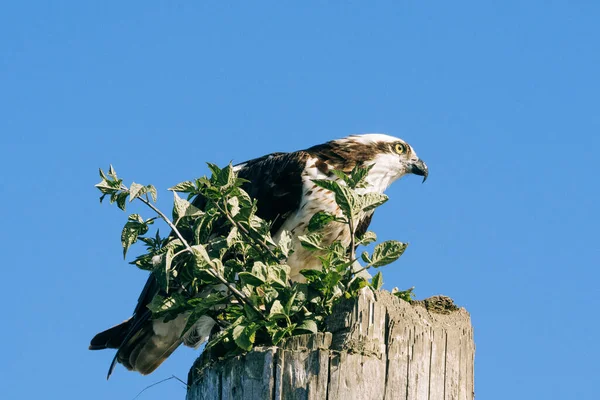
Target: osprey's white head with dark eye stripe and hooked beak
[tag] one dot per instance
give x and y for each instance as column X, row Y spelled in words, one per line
column 390, row 157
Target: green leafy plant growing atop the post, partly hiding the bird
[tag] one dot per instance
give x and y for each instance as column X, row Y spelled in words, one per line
column 220, row 259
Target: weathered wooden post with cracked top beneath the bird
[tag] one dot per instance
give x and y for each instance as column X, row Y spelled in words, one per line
column 377, row 347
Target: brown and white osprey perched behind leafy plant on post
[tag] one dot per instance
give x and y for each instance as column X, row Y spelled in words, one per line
column 282, row 185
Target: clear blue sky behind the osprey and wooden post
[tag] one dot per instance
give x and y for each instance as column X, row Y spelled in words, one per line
column 501, row 99
